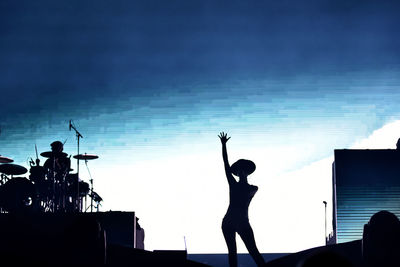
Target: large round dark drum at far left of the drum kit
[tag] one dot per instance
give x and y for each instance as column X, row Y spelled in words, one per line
column 18, row 195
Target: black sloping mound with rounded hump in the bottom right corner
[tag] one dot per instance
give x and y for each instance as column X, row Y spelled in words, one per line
column 379, row 247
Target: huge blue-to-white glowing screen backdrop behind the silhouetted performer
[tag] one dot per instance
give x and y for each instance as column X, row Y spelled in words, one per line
column 151, row 84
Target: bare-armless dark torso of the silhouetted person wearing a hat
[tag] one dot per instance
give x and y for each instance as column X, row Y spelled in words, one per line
column 240, row 196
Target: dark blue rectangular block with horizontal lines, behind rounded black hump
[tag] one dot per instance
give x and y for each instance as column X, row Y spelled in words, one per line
column 364, row 183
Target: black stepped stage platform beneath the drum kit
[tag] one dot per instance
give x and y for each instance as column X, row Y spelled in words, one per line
column 78, row 239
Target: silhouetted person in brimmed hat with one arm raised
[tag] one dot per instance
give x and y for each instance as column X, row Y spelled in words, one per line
column 236, row 219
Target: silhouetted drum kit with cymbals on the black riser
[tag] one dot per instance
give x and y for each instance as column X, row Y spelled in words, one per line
column 49, row 188
